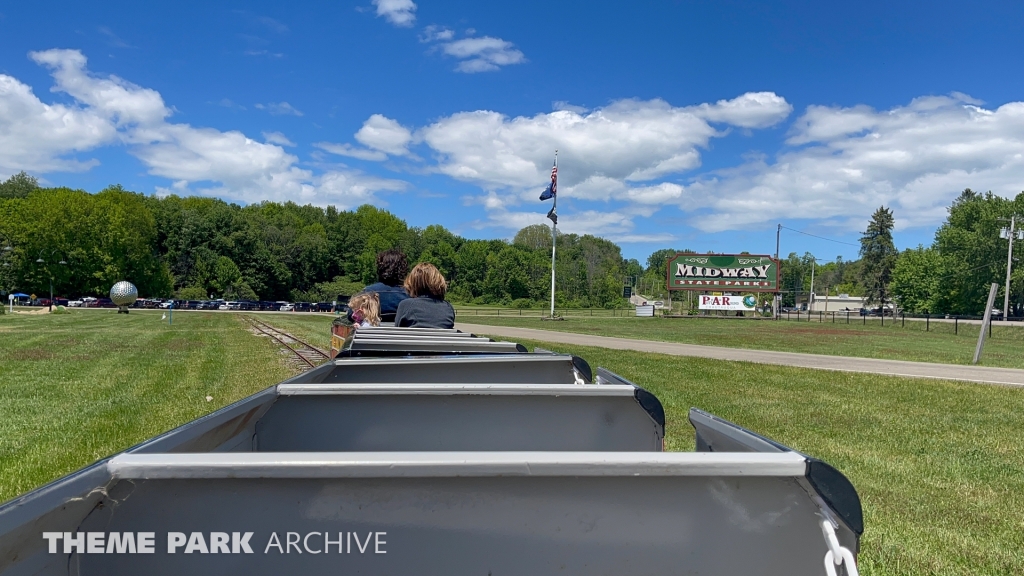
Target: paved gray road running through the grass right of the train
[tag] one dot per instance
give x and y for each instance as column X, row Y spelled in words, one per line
column 1005, row 377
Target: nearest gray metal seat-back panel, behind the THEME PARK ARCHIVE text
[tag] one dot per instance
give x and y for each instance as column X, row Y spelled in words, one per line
column 538, row 526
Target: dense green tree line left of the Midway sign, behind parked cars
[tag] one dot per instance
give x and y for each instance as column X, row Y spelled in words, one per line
column 197, row 249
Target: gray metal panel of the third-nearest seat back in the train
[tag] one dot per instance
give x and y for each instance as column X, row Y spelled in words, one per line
column 540, row 369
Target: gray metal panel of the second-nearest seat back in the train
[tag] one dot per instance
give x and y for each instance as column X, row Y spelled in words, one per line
column 444, row 421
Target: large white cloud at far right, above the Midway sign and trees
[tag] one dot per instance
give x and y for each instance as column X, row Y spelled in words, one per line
column 849, row 161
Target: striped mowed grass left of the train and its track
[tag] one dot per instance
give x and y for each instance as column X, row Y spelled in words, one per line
column 77, row 388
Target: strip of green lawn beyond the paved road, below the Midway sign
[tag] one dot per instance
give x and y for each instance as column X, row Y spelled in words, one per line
column 893, row 342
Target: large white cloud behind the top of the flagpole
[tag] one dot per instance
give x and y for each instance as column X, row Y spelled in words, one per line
column 600, row 152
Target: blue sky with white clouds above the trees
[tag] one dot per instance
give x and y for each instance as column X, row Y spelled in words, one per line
column 698, row 126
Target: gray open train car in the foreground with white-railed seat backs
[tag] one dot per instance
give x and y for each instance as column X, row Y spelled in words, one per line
column 295, row 480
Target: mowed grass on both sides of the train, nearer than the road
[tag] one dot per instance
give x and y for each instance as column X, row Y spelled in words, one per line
column 940, row 466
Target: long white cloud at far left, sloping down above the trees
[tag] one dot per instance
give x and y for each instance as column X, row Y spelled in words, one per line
column 108, row 110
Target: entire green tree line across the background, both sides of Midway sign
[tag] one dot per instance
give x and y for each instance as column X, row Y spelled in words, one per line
column 198, row 248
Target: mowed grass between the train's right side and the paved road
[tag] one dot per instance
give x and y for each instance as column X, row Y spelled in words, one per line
column 940, row 466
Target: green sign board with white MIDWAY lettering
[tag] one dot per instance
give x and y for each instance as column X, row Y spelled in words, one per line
column 726, row 273
